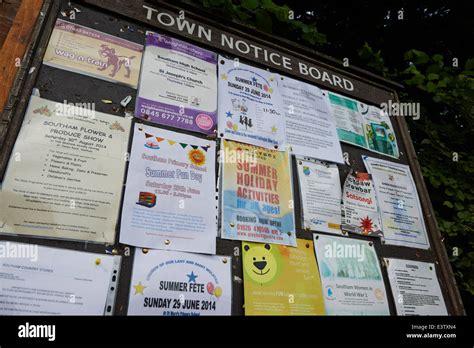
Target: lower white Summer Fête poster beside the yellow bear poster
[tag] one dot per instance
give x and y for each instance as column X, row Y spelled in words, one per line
column 174, row 283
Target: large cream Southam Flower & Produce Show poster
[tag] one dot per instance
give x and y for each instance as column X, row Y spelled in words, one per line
column 64, row 178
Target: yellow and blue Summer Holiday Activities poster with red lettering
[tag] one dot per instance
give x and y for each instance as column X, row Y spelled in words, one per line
column 257, row 199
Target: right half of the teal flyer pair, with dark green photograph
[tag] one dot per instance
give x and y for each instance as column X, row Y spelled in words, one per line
column 379, row 131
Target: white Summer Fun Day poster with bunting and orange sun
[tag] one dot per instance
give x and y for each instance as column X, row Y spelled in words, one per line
column 170, row 194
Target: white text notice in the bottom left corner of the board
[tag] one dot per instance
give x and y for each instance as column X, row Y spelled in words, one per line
column 38, row 280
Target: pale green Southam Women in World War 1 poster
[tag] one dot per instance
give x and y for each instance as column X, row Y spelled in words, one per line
column 350, row 276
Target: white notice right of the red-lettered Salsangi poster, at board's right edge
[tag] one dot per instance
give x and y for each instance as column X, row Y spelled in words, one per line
column 402, row 218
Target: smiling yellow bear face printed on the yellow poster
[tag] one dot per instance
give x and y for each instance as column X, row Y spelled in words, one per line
column 260, row 263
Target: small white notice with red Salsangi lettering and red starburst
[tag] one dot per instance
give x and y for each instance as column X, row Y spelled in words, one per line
column 360, row 213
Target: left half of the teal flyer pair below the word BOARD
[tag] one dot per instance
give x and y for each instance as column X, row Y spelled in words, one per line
column 349, row 123
